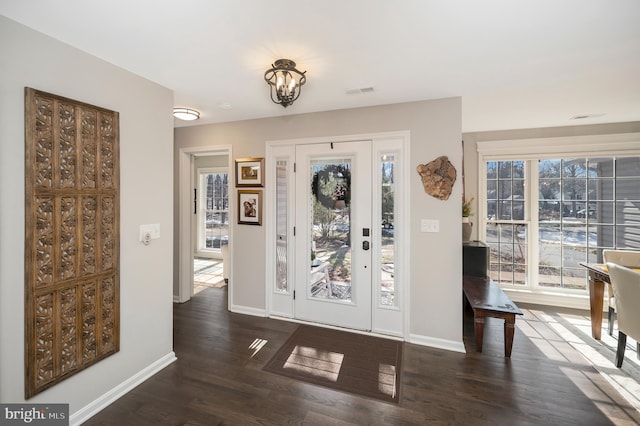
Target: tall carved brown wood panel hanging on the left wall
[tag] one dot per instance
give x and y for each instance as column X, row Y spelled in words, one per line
column 72, row 235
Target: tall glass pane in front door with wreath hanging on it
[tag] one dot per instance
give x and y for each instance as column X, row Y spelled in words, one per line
column 331, row 254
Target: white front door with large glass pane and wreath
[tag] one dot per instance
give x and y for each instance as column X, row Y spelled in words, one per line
column 334, row 234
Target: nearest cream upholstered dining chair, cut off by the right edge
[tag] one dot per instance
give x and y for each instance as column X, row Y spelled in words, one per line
column 626, row 288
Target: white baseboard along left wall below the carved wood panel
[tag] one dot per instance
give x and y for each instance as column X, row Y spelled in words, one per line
column 93, row 408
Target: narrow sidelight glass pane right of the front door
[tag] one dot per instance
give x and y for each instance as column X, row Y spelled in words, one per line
column 387, row 252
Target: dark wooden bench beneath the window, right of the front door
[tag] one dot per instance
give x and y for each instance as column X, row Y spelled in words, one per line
column 488, row 300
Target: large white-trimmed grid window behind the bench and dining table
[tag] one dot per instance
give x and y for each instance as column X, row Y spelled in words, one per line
column 551, row 204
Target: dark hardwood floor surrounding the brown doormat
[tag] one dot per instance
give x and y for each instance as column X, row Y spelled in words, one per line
column 218, row 380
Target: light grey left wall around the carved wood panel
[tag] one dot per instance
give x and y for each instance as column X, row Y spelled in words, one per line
column 28, row 58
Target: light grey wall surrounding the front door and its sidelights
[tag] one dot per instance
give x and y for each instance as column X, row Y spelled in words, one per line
column 436, row 271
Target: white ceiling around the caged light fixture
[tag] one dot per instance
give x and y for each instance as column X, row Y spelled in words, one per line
column 515, row 63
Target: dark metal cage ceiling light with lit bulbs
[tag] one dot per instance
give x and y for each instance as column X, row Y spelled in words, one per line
column 285, row 81
